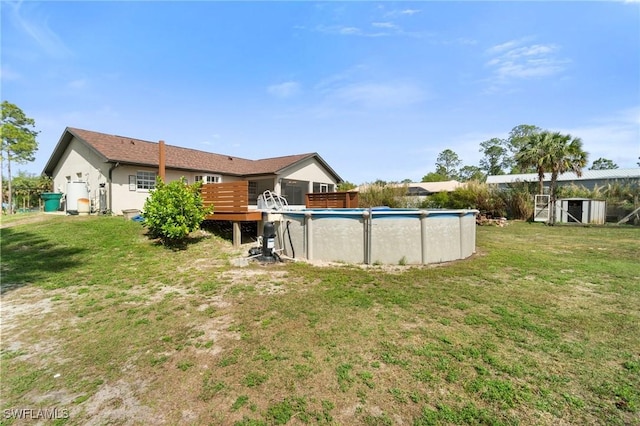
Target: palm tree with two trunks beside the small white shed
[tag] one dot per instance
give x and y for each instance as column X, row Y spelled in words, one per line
column 555, row 153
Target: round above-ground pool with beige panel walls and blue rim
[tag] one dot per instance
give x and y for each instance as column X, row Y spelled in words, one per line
column 377, row 235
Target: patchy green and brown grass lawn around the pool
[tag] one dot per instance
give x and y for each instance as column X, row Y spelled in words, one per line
column 542, row 326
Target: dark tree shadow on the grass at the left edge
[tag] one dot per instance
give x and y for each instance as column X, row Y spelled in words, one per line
column 28, row 258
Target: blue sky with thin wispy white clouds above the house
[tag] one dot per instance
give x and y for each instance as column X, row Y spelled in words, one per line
column 378, row 89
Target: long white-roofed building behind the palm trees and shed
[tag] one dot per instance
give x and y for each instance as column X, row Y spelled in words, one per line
column 589, row 179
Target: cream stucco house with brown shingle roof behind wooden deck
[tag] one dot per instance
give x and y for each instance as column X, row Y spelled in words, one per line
column 120, row 171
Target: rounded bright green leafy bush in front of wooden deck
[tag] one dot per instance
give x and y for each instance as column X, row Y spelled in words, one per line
column 174, row 210
